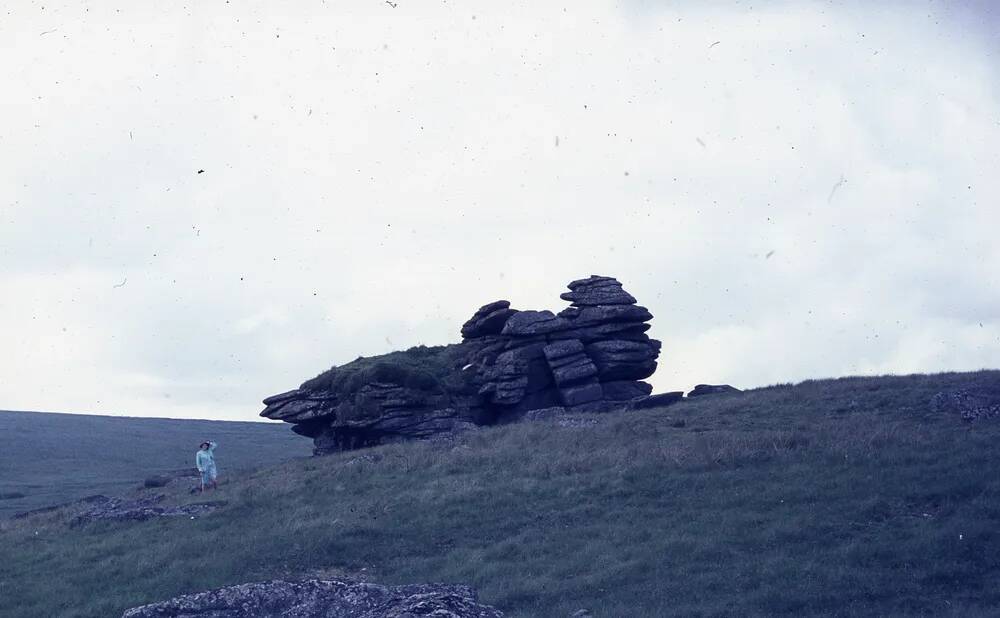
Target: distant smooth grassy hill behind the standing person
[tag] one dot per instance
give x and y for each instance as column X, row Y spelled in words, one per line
column 48, row 458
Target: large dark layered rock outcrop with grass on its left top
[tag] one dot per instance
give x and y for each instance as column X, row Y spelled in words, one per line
column 592, row 356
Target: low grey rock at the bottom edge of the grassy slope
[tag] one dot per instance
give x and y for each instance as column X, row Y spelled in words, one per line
column 322, row 599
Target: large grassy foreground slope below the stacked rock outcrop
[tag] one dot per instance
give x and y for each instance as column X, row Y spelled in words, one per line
column 845, row 497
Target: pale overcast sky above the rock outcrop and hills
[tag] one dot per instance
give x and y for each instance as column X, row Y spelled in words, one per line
column 204, row 205
